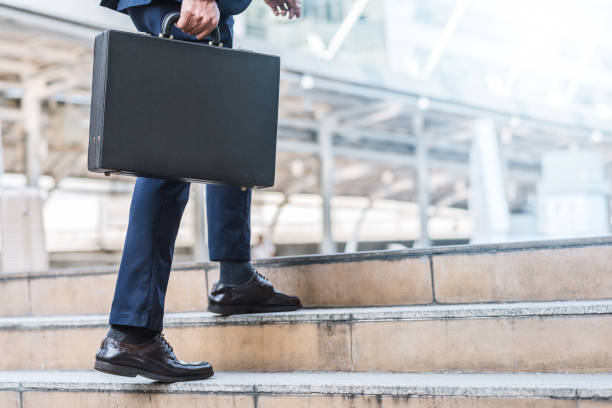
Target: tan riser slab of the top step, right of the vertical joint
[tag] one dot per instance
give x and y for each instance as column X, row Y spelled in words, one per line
column 528, row 275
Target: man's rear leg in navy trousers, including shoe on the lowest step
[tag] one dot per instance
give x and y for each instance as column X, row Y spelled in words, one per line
column 134, row 345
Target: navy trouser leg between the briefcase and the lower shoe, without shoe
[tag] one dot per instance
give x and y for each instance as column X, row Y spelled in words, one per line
column 155, row 215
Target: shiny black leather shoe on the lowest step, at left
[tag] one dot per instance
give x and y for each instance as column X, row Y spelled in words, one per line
column 152, row 359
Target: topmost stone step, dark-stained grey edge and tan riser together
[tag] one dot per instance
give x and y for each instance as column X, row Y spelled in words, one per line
column 535, row 271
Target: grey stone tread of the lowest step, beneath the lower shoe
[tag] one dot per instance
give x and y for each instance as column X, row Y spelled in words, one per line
column 538, row 385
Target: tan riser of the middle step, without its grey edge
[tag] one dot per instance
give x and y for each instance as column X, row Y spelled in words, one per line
column 579, row 344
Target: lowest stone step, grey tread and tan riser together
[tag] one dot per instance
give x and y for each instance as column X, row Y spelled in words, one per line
column 299, row 389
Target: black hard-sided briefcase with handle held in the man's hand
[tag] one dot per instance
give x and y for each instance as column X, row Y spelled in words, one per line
column 183, row 110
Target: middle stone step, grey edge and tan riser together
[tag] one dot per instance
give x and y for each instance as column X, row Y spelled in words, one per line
column 573, row 336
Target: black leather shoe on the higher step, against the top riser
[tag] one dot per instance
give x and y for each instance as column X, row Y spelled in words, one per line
column 255, row 296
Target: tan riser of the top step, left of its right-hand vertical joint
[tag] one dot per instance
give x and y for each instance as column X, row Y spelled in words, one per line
column 372, row 283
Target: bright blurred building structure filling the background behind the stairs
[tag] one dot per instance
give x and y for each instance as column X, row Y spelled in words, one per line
column 400, row 121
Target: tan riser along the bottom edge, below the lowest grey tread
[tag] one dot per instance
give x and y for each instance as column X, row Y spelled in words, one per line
column 36, row 399
